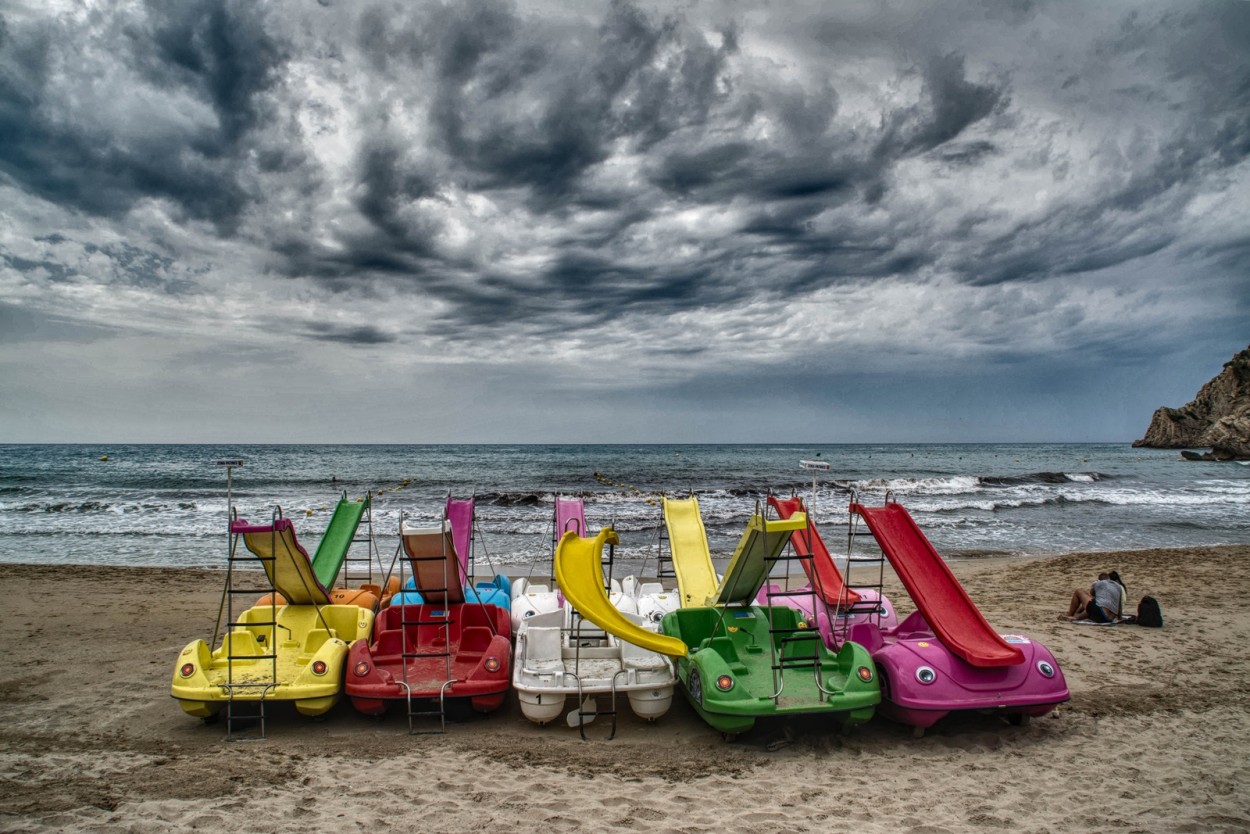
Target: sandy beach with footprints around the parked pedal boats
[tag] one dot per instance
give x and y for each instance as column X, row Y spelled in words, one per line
column 1154, row 738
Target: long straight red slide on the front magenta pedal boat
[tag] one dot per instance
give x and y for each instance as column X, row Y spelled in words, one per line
column 938, row 595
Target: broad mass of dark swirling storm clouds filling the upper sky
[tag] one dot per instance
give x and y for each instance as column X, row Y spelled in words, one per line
column 633, row 162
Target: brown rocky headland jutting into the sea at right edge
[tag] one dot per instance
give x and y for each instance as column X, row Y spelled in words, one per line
column 1219, row 417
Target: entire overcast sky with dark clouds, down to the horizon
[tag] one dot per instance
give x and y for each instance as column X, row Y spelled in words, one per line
column 618, row 222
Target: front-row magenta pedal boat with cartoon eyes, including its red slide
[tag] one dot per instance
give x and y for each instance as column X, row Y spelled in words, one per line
column 946, row 656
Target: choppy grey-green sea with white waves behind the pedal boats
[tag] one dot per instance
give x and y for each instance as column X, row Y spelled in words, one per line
column 169, row 506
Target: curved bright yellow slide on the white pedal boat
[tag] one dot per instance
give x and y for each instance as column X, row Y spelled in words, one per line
column 579, row 571
